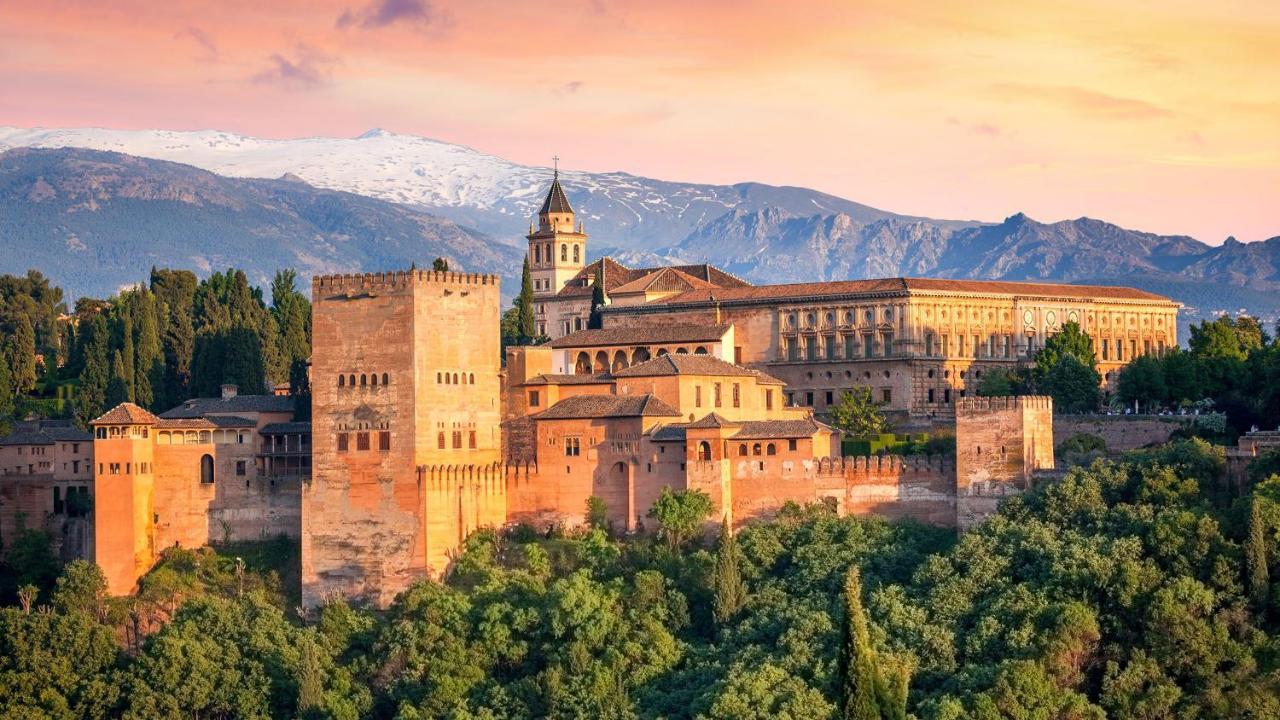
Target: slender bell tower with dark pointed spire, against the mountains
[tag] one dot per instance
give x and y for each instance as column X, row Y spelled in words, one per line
column 557, row 247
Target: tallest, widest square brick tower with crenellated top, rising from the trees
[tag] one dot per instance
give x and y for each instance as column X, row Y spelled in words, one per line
column 405, row 381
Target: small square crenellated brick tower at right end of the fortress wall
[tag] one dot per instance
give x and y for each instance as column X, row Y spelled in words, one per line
column 1000, row 444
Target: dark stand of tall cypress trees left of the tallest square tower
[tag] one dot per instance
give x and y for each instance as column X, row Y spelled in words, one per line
column 154, row 344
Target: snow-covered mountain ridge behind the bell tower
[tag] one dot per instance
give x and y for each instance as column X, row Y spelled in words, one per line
column 492, row 195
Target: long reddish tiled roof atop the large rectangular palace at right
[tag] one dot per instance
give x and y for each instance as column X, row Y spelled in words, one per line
column 906, row 286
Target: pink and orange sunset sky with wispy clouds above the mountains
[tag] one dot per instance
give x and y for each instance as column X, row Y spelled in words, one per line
column 1158, row 116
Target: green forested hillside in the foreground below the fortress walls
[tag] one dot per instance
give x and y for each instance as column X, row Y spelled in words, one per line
column 1135, row 587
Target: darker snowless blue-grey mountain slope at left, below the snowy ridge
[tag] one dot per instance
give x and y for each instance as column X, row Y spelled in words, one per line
column 98, row 221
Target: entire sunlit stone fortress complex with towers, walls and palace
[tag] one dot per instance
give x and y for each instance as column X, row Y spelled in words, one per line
column 423, row 432
